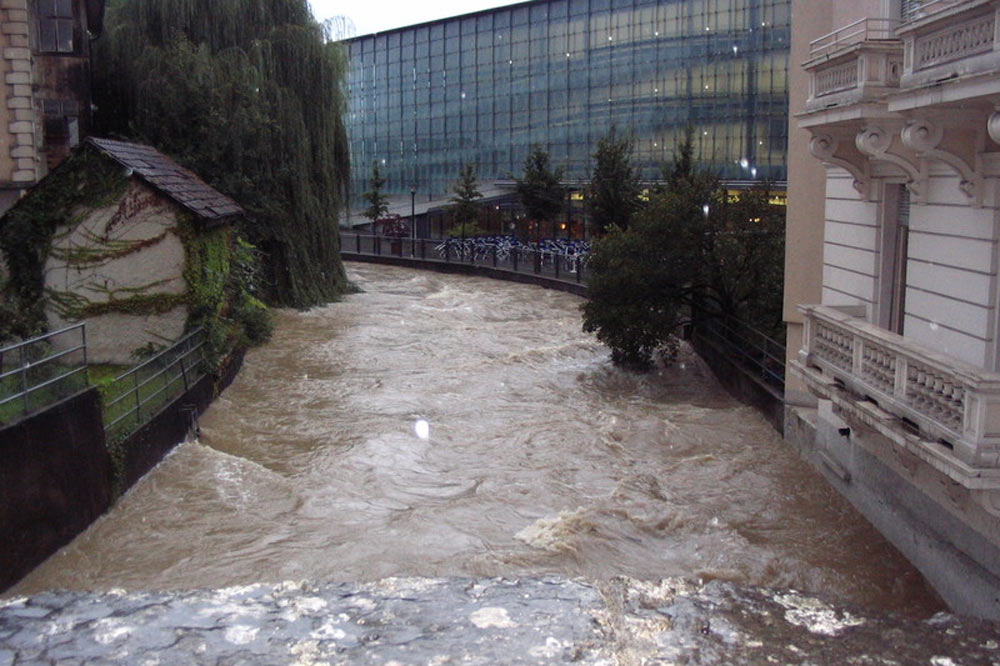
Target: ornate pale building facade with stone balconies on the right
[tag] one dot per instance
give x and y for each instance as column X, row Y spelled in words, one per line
column 892, row 282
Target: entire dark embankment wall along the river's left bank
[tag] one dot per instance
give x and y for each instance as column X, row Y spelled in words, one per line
column 57, row 477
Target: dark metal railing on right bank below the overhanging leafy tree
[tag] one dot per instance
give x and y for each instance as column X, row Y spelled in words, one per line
column 760, row 355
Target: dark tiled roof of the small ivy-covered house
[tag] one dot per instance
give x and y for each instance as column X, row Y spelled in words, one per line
column 168, row 177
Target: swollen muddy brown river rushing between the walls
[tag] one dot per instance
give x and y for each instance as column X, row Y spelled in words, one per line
column 438, row 425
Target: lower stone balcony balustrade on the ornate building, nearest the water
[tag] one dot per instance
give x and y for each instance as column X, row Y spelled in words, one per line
column 952, row 404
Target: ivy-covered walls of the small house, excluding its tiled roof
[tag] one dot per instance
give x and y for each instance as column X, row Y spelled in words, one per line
column 93, row 243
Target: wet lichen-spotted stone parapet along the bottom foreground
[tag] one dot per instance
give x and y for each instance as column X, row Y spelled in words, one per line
column 542, row 620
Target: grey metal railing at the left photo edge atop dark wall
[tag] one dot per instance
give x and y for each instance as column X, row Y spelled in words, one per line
column 38, row 372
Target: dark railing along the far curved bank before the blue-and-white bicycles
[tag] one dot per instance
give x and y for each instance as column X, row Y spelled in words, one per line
column 524, row 259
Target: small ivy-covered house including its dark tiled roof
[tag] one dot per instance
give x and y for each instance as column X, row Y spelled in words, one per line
column 137, row 244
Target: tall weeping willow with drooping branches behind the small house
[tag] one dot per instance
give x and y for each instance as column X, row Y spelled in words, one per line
column 249, row 95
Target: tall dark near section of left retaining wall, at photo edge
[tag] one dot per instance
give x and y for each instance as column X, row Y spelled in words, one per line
column 55, row 479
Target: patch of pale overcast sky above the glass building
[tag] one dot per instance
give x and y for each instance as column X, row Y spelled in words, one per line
column 378, row 15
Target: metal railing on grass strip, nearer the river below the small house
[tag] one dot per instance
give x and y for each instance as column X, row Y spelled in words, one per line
column 137, row 395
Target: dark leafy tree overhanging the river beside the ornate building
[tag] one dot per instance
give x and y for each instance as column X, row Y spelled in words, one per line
column 692, row 248
